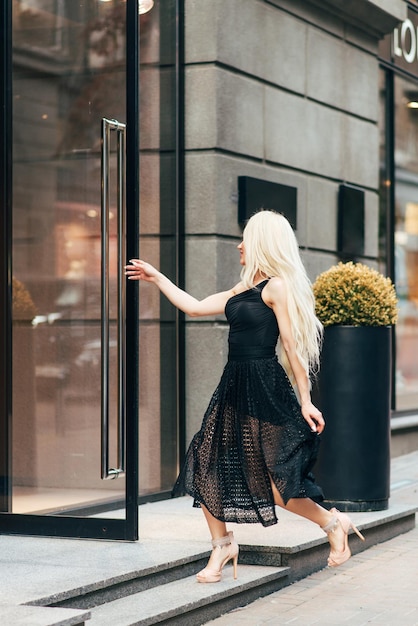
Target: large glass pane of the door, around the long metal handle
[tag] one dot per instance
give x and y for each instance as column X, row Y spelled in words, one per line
column 68, row 73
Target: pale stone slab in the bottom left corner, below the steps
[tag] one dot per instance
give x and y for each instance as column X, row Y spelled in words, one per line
column 21, row 615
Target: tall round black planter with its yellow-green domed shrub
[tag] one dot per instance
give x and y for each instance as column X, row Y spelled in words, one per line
column 357, row 306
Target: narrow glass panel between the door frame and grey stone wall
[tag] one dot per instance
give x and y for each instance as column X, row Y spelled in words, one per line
column 158, row 428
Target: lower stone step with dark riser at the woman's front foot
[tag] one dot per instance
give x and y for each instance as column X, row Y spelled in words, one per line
column 171, row 595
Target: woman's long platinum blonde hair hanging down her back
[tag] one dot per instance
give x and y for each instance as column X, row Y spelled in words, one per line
column 271, row 250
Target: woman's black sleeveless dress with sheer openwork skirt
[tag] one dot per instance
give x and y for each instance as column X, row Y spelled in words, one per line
column 253, row 427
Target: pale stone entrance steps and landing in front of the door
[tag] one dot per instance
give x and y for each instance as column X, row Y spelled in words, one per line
column 124, row 580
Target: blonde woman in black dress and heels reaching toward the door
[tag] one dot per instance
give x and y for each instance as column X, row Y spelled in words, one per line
column 258, row 443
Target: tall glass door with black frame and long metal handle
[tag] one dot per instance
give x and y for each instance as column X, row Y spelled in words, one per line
column 74, row 153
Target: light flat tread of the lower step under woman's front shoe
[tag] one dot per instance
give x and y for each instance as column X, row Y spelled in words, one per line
column 188, row 603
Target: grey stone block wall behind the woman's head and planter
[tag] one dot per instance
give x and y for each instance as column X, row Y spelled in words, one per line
column 286, row 91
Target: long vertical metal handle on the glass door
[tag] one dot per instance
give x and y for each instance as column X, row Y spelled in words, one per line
column 107, row 127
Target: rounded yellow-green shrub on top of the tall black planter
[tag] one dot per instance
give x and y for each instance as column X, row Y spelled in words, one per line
column 353, row 294
